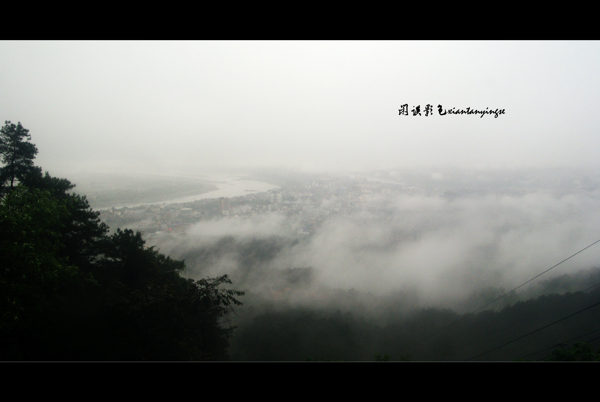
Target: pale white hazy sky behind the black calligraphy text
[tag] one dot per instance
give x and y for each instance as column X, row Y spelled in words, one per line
column 311, row 105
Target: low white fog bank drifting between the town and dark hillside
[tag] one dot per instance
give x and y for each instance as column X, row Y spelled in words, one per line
column 440, row 249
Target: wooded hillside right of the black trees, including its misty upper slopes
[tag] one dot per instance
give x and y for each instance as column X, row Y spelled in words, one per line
column 288, row 317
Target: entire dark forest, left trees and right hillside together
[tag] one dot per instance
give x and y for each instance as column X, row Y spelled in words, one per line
column 71, row 291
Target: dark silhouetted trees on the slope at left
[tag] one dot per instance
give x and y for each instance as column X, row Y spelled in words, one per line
column 69, row 291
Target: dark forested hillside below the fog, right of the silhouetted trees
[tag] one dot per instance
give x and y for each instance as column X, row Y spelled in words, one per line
column 529, row 330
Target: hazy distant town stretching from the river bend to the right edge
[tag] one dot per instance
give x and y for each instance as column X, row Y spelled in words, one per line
column 307, row 201
